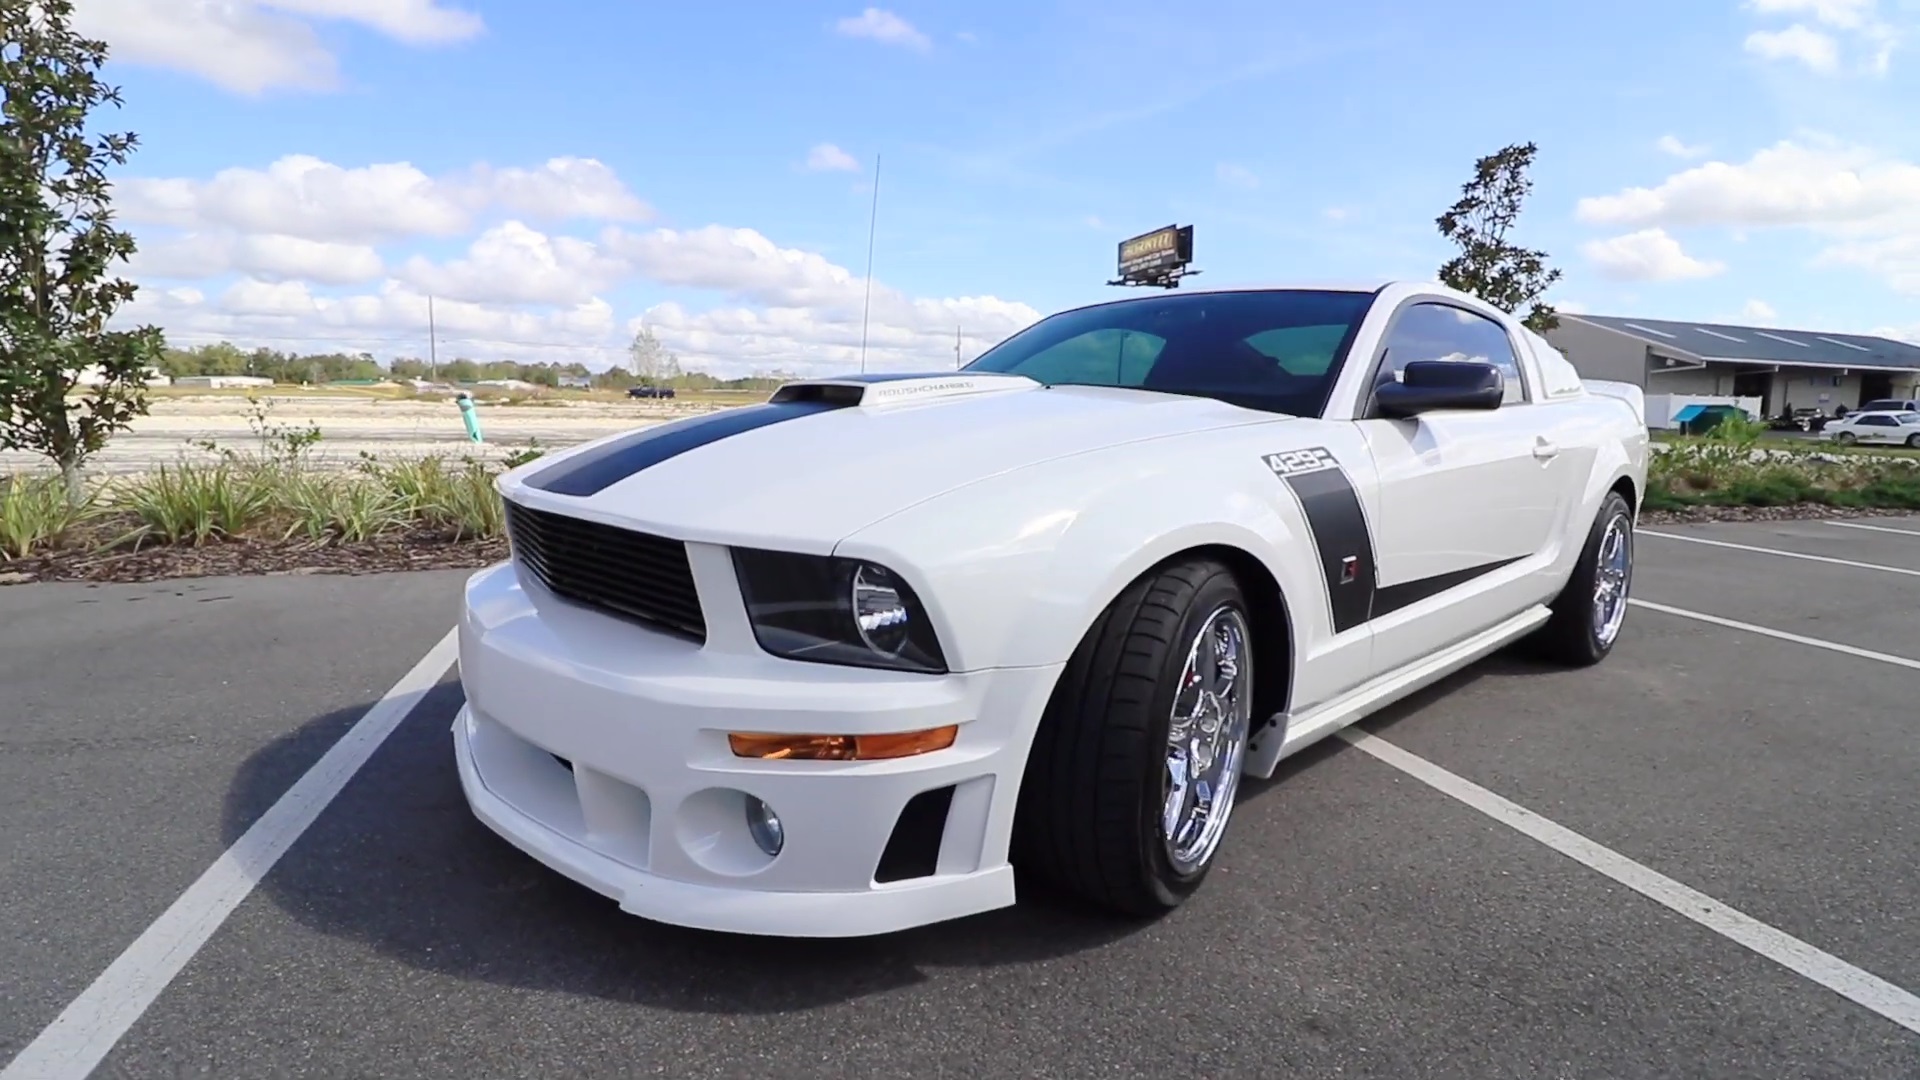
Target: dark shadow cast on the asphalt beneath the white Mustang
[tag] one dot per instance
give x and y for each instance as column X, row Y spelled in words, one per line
column 400, row 866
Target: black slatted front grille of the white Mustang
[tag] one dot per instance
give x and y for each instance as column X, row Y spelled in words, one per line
column 627, row 574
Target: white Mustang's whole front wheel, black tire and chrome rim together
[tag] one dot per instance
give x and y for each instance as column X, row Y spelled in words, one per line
column 1138, row 762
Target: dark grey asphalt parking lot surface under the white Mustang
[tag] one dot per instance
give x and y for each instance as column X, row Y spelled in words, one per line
column 1362, row 923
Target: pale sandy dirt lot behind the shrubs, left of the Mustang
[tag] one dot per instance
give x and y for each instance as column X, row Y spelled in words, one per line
column 354, row 424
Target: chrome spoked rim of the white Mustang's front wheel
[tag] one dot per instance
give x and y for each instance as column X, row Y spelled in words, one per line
column 1207, row 739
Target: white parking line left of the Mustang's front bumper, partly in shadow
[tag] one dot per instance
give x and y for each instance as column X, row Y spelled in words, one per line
column 84, row 1035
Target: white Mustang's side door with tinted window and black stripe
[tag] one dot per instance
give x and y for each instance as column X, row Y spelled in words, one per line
column 1470, row 499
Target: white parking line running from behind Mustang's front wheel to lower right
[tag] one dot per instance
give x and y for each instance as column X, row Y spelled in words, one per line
column 1779, row 946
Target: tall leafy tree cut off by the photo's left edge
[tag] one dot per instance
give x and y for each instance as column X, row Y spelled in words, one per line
column 59, row 245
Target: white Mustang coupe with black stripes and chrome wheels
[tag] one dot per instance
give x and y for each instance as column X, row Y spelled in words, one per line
column 838, row 664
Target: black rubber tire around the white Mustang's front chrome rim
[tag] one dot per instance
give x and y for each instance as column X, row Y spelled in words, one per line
column 1092, row 797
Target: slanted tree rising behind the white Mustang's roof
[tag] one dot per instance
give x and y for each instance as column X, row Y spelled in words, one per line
column 1489, row 266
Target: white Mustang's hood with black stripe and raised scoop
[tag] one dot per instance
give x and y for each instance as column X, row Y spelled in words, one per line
column 828, row 458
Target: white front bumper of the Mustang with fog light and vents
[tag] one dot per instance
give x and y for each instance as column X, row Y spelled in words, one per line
column 600, row 749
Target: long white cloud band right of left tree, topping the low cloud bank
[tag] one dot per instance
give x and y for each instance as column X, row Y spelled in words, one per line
column 306, row 197
